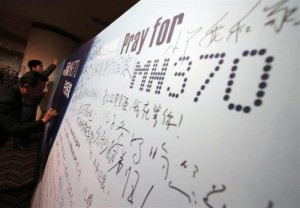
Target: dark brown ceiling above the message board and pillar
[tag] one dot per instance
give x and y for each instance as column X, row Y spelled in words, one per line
column 81, row 19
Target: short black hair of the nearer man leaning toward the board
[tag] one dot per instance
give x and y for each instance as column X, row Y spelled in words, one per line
column 32, row 78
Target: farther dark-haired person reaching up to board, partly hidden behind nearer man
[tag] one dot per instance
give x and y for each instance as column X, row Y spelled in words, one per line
column 29, row 109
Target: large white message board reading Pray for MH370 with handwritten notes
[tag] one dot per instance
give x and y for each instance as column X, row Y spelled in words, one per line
column 184, row 104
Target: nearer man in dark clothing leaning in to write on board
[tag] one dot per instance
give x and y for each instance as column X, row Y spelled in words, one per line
column 30, row 88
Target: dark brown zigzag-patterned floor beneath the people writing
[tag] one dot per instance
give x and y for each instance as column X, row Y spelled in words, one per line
column 17, row 174
